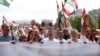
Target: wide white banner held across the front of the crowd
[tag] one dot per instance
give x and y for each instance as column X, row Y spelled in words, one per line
column 48, row 49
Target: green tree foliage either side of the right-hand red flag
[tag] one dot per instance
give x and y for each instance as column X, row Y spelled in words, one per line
column 76, row 22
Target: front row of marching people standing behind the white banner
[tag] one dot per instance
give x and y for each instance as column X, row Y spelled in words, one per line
column 87, row 35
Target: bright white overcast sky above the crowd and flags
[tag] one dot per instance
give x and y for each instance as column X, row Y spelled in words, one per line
column 39, row 9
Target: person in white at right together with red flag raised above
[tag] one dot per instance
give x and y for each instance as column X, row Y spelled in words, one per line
column 86, row 34
